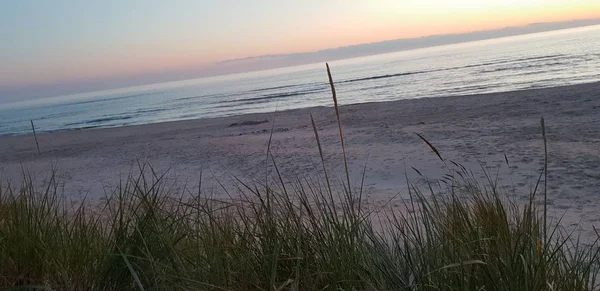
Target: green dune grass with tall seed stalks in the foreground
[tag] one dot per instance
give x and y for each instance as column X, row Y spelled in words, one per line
column 304, row 234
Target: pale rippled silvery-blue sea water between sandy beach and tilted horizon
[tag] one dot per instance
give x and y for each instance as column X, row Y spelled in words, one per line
column 521, row 62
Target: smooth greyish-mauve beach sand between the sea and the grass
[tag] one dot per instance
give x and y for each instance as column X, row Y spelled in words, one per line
column 477, row 131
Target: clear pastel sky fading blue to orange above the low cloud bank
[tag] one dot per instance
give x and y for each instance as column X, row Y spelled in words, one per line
column 50, row 47
